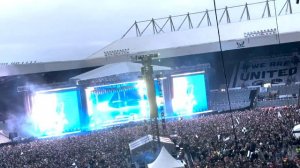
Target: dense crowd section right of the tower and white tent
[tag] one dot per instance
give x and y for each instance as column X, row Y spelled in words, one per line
column 251, row 138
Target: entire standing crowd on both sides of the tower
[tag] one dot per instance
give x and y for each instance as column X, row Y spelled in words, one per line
column 250, row 138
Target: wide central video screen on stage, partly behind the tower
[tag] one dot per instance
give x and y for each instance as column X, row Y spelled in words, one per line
column 118, row 103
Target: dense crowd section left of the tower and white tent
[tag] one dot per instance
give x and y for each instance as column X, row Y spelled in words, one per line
column 106, row 148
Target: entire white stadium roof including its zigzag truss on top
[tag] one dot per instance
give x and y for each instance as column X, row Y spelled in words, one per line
column 197, row 33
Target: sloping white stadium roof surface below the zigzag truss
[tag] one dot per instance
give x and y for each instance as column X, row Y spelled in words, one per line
column 205, row 39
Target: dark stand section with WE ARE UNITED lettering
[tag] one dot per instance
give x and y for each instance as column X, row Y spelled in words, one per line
column 278, row 69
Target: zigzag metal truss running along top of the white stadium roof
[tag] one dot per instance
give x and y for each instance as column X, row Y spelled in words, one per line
column 203, row 18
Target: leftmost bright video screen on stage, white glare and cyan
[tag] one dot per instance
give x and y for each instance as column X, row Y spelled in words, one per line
column 55, row 112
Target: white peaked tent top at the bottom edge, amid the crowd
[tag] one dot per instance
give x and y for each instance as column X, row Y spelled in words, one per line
column 165, row 160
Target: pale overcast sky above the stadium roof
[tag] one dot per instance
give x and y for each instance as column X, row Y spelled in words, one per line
column 53, row 29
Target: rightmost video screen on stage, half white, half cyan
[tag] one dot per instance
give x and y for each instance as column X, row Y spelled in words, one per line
column 189, row 94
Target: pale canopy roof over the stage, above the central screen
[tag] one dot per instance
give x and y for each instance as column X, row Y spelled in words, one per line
column 115, row 69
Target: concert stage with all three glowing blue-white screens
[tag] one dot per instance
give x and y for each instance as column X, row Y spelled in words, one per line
column 98, row 103
